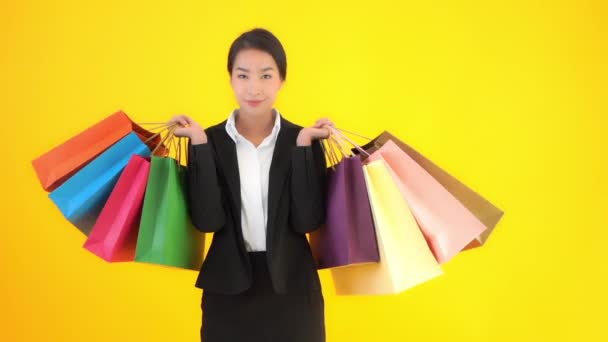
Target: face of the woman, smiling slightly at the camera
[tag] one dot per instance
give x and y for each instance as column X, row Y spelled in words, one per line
column 255, row 81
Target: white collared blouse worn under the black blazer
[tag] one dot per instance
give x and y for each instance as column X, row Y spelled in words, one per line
column 254, row 167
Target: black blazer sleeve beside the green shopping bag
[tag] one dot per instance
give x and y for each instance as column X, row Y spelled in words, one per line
column 204, row 193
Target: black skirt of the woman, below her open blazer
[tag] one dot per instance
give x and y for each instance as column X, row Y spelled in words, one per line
column 260, row 314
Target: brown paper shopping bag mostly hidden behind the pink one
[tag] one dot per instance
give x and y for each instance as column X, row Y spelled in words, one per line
column 485, row 211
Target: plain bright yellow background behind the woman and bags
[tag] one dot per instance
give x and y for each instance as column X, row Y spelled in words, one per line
column 510, row 97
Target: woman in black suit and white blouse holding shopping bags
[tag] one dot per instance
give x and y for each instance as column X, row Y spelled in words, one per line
column 257, row 181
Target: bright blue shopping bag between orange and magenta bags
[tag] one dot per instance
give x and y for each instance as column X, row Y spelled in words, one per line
column 81, row 197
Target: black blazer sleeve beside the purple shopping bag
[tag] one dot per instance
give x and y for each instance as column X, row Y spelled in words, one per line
column 308, row 188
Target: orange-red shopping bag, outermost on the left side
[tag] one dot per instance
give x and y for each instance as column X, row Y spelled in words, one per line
column 57, row 165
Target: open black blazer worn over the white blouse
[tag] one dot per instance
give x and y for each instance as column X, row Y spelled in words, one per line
column 296, row 206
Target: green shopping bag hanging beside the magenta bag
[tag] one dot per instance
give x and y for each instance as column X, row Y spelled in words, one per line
column 166, row 234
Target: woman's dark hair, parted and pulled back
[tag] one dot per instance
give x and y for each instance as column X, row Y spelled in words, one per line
column 260, row 39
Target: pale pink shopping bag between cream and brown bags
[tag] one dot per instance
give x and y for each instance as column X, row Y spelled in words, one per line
column 447, row 225
